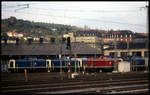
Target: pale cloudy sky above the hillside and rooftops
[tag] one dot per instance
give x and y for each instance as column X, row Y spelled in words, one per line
column 95, row 15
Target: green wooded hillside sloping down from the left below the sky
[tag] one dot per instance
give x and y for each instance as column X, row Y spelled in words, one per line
column 34, row 28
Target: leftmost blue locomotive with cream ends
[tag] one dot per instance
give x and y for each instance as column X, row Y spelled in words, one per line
column 31, row 64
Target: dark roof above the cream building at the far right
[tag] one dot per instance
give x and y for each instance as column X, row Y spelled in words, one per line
column 123, row 45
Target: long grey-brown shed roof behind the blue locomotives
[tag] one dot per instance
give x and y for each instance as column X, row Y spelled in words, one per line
column 46, row 49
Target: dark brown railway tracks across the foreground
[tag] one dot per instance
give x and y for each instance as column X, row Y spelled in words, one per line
column 113, row 83
